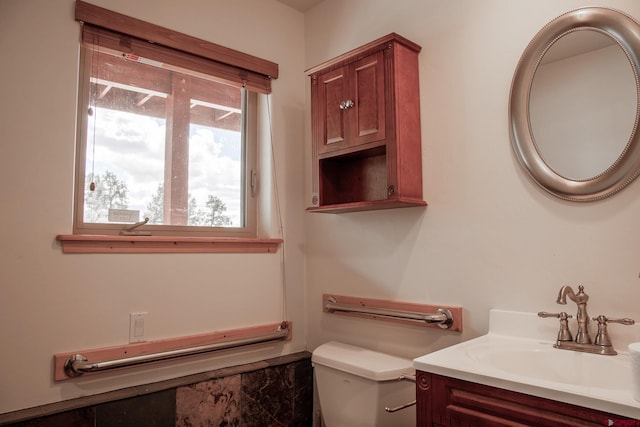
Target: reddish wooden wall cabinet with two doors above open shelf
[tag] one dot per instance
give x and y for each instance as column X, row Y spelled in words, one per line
column 365, row 117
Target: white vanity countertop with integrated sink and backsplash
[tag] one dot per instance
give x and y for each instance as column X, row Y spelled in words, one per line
column 517, row 354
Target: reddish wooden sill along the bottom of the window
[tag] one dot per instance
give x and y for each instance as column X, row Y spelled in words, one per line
column 88, row 244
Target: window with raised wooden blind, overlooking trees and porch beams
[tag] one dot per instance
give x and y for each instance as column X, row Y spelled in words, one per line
column 163, row 134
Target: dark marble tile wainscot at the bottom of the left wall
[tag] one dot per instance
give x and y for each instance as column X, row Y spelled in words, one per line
column 275, row 392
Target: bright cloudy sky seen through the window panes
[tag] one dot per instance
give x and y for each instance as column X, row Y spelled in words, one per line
column 132, row 147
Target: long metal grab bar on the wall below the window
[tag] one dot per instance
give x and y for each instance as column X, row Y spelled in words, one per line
column 78, row 364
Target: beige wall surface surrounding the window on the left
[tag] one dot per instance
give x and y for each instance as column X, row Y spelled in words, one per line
column 51, row 302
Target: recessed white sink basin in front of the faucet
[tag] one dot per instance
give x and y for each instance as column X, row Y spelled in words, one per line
column 542, row 362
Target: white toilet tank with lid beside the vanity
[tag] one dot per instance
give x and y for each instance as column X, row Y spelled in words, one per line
column 355, row 385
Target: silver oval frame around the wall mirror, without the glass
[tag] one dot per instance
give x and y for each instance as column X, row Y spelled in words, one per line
column 626, row 32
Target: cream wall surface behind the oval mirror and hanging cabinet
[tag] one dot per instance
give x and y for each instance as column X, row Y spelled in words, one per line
column 489, row 238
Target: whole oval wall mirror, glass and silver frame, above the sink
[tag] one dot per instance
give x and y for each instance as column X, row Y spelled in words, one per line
column 574, row 105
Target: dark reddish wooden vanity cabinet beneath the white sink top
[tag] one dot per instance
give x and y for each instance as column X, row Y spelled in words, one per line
column 444, row 402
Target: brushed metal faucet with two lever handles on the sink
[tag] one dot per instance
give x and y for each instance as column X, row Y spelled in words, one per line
column 582, row 342
